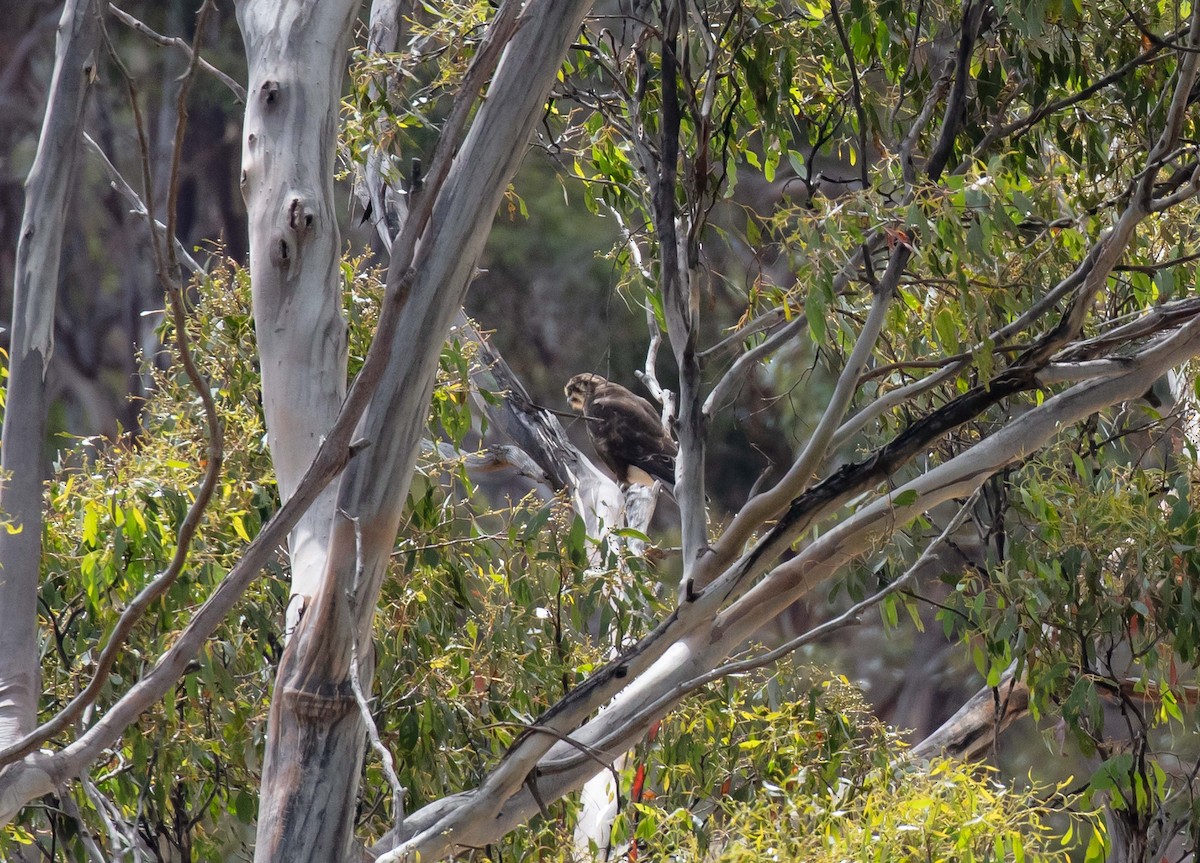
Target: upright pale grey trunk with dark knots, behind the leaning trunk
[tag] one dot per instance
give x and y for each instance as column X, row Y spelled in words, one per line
column 297, row 59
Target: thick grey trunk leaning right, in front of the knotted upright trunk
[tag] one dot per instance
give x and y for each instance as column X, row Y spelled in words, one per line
column 316, row 733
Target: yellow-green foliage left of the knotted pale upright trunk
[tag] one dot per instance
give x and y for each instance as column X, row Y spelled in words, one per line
column 189, row 771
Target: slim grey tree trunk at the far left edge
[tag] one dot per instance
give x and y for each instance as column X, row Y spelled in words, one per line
column 35, row 290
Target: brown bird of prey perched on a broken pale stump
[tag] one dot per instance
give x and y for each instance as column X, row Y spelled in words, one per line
column 625, row 429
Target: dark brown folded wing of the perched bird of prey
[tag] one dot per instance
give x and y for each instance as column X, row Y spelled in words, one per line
column 627, row 434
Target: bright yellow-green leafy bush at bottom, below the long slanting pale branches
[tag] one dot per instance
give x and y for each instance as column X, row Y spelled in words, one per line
column 818, row 780
